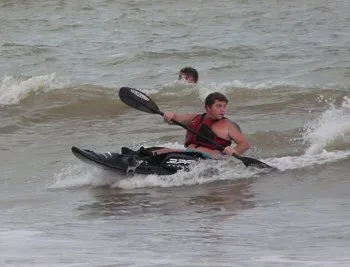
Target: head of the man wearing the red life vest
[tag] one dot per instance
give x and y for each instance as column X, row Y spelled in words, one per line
column 215, row 105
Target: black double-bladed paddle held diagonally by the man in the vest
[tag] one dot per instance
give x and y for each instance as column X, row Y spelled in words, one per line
column 140, row 101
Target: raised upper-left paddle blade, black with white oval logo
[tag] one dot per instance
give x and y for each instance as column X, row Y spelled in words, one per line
column 138, row 100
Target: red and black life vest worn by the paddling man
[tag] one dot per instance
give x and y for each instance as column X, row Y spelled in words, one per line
column 202, row 125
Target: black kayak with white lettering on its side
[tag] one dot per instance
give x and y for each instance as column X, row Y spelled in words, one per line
column 142, row 161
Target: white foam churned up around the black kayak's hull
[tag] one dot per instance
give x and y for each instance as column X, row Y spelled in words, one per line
column 202, row 172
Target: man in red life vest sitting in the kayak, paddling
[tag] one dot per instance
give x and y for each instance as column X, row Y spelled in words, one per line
column 214, row 126
